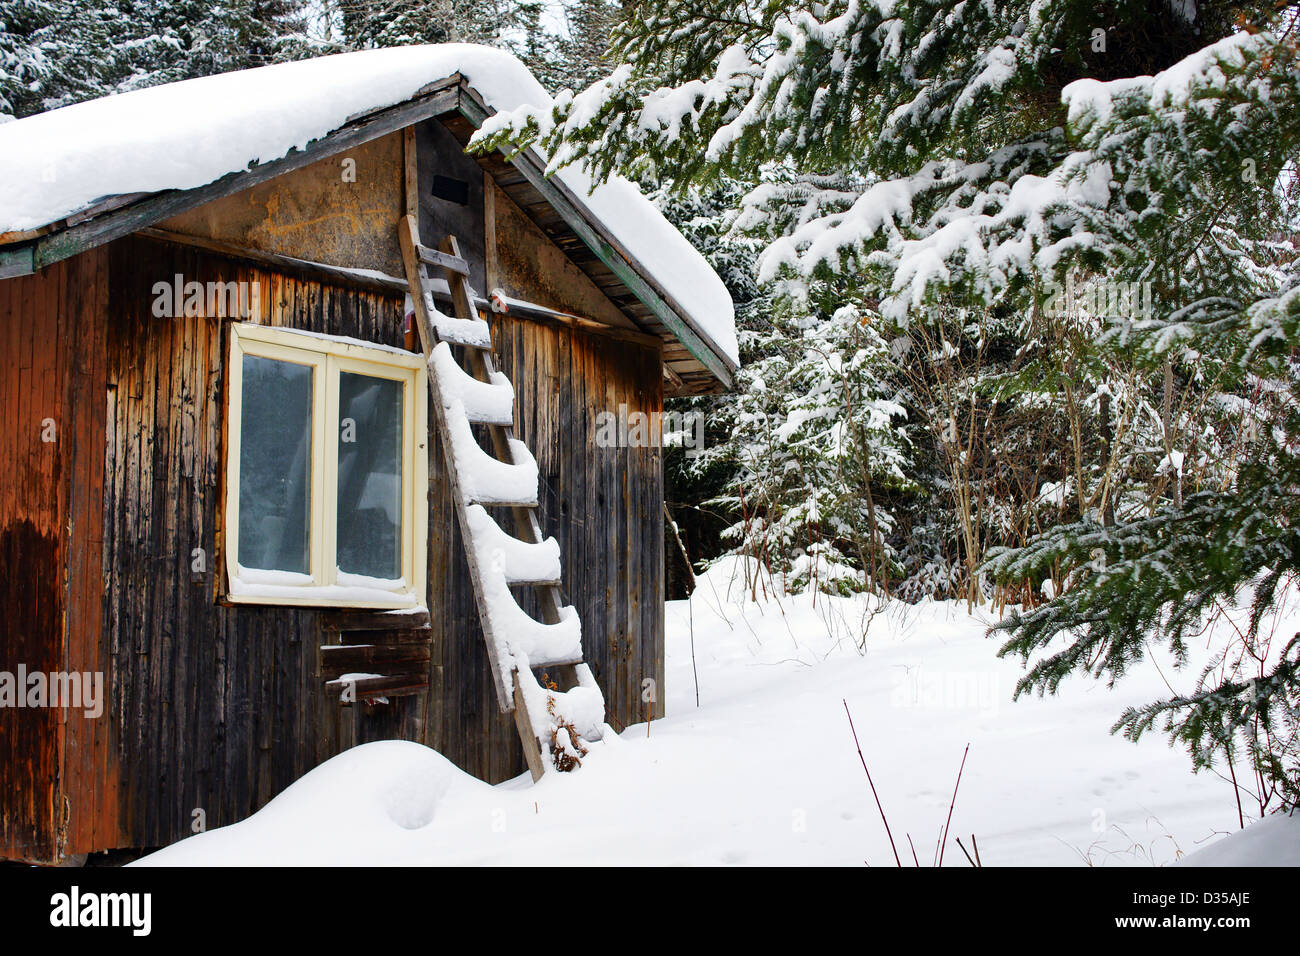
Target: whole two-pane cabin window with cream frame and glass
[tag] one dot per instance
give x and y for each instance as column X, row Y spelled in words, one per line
column 326, row 473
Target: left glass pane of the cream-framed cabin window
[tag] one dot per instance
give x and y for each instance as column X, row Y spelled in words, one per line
column 275, row 466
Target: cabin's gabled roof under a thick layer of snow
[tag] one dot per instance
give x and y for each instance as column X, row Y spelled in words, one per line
column 84, row 175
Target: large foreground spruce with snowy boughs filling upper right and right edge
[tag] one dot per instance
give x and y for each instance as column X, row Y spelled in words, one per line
column 1011, row 149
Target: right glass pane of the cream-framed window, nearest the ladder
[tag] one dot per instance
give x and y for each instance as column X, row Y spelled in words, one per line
column 370, row 477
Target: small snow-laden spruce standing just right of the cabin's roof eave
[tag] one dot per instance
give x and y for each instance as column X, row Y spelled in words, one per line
column 820, row 458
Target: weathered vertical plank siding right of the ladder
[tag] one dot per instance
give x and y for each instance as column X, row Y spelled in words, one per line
column 605, row 505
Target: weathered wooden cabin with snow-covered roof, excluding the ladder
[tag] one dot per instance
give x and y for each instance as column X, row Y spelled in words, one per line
column 154, row 527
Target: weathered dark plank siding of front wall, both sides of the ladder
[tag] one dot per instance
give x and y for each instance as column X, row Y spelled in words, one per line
column 220, row 708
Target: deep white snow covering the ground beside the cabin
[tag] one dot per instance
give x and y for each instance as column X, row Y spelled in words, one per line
column 765, row 769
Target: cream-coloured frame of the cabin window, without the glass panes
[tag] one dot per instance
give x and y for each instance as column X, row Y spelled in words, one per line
column 328, row 358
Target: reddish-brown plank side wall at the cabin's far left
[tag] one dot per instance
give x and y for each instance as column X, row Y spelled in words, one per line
column 51, row 387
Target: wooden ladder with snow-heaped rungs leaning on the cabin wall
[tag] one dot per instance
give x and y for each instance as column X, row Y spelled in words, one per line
column 552, row 723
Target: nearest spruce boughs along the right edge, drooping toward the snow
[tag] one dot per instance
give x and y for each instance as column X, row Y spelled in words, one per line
column 1199, row 166
